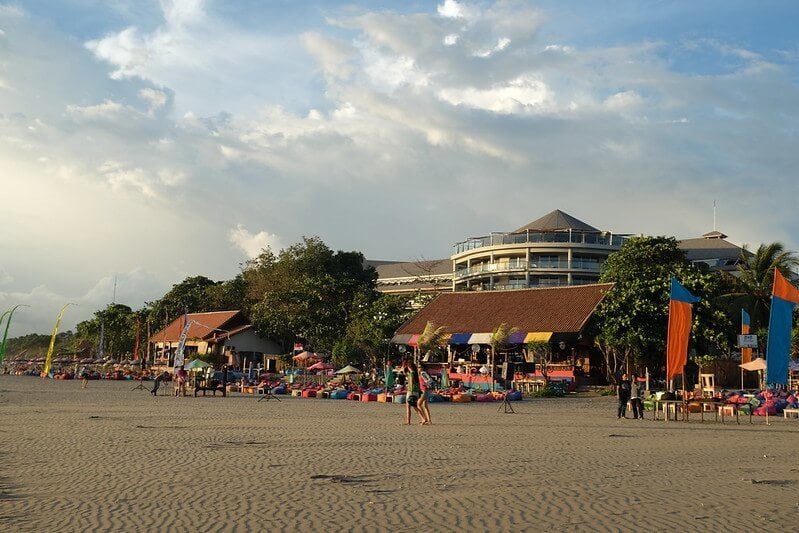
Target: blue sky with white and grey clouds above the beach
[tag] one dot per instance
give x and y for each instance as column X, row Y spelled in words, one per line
column 145, row 141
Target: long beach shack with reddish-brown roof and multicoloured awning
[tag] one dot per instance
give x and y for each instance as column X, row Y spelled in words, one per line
column 549, row 341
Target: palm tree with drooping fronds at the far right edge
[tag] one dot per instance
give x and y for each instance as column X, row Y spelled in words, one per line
column 756, row 277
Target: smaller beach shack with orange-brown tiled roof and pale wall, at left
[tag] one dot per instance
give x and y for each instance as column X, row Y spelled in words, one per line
column 226, row 335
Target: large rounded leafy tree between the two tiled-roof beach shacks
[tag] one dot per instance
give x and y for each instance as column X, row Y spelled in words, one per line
column 307, row 291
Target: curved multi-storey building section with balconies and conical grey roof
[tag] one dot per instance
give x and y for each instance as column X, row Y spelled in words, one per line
column 555, row 250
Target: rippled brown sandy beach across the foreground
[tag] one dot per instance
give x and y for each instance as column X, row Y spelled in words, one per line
column 110, row 459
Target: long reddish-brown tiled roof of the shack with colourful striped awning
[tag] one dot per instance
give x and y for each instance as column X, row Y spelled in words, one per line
column 557, row 309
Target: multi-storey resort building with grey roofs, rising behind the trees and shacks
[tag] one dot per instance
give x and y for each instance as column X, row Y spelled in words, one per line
column 555, row 250
